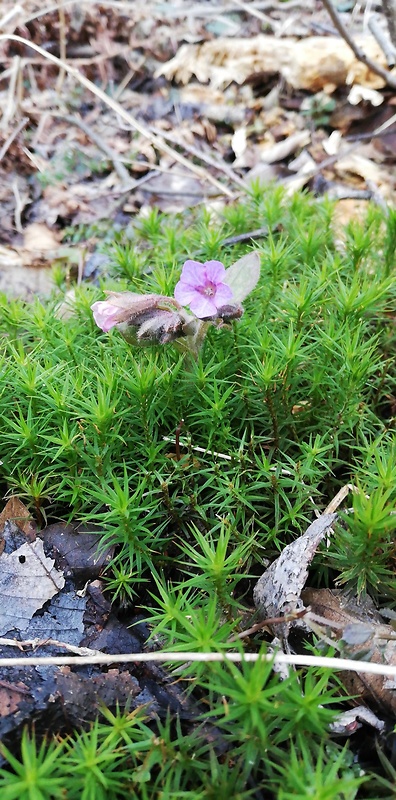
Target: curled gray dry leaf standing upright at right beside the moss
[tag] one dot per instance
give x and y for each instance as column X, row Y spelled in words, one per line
column 278, row 591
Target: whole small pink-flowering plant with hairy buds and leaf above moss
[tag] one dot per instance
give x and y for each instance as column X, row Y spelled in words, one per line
column 212, row 293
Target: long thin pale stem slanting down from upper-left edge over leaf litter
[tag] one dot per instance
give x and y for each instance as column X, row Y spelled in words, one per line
column 156, row 141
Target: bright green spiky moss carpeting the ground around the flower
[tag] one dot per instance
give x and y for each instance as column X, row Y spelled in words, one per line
column 282, row 409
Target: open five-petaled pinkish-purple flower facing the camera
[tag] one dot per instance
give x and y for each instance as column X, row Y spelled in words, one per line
column 202, row 288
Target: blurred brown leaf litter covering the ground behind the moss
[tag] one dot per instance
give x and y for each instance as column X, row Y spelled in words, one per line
column 214, row 83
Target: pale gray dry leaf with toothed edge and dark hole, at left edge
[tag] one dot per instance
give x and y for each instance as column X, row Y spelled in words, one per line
column 28, row 579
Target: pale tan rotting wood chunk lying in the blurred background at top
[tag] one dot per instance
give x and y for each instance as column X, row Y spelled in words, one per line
column 315, row 63
